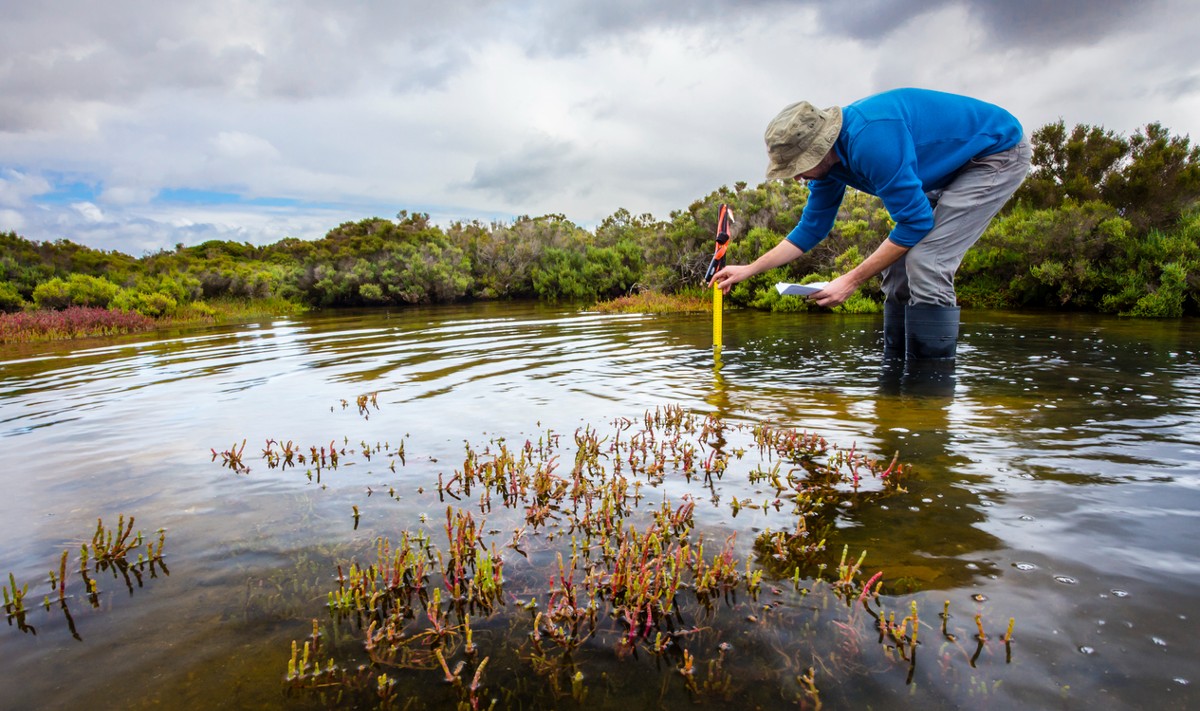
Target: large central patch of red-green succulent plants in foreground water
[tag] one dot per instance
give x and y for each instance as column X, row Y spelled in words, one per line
column 611, row 564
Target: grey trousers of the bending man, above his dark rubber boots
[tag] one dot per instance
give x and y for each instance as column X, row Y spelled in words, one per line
column 962, row 212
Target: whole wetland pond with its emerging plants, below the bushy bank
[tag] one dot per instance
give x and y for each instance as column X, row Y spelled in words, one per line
column 519, row 506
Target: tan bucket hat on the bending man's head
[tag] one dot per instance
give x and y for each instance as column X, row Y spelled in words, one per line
column 800, row 138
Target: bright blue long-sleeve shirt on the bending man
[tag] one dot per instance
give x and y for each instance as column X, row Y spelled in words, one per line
column 898, row 146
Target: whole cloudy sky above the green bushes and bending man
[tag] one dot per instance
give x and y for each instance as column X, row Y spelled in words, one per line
column 137, row 126
